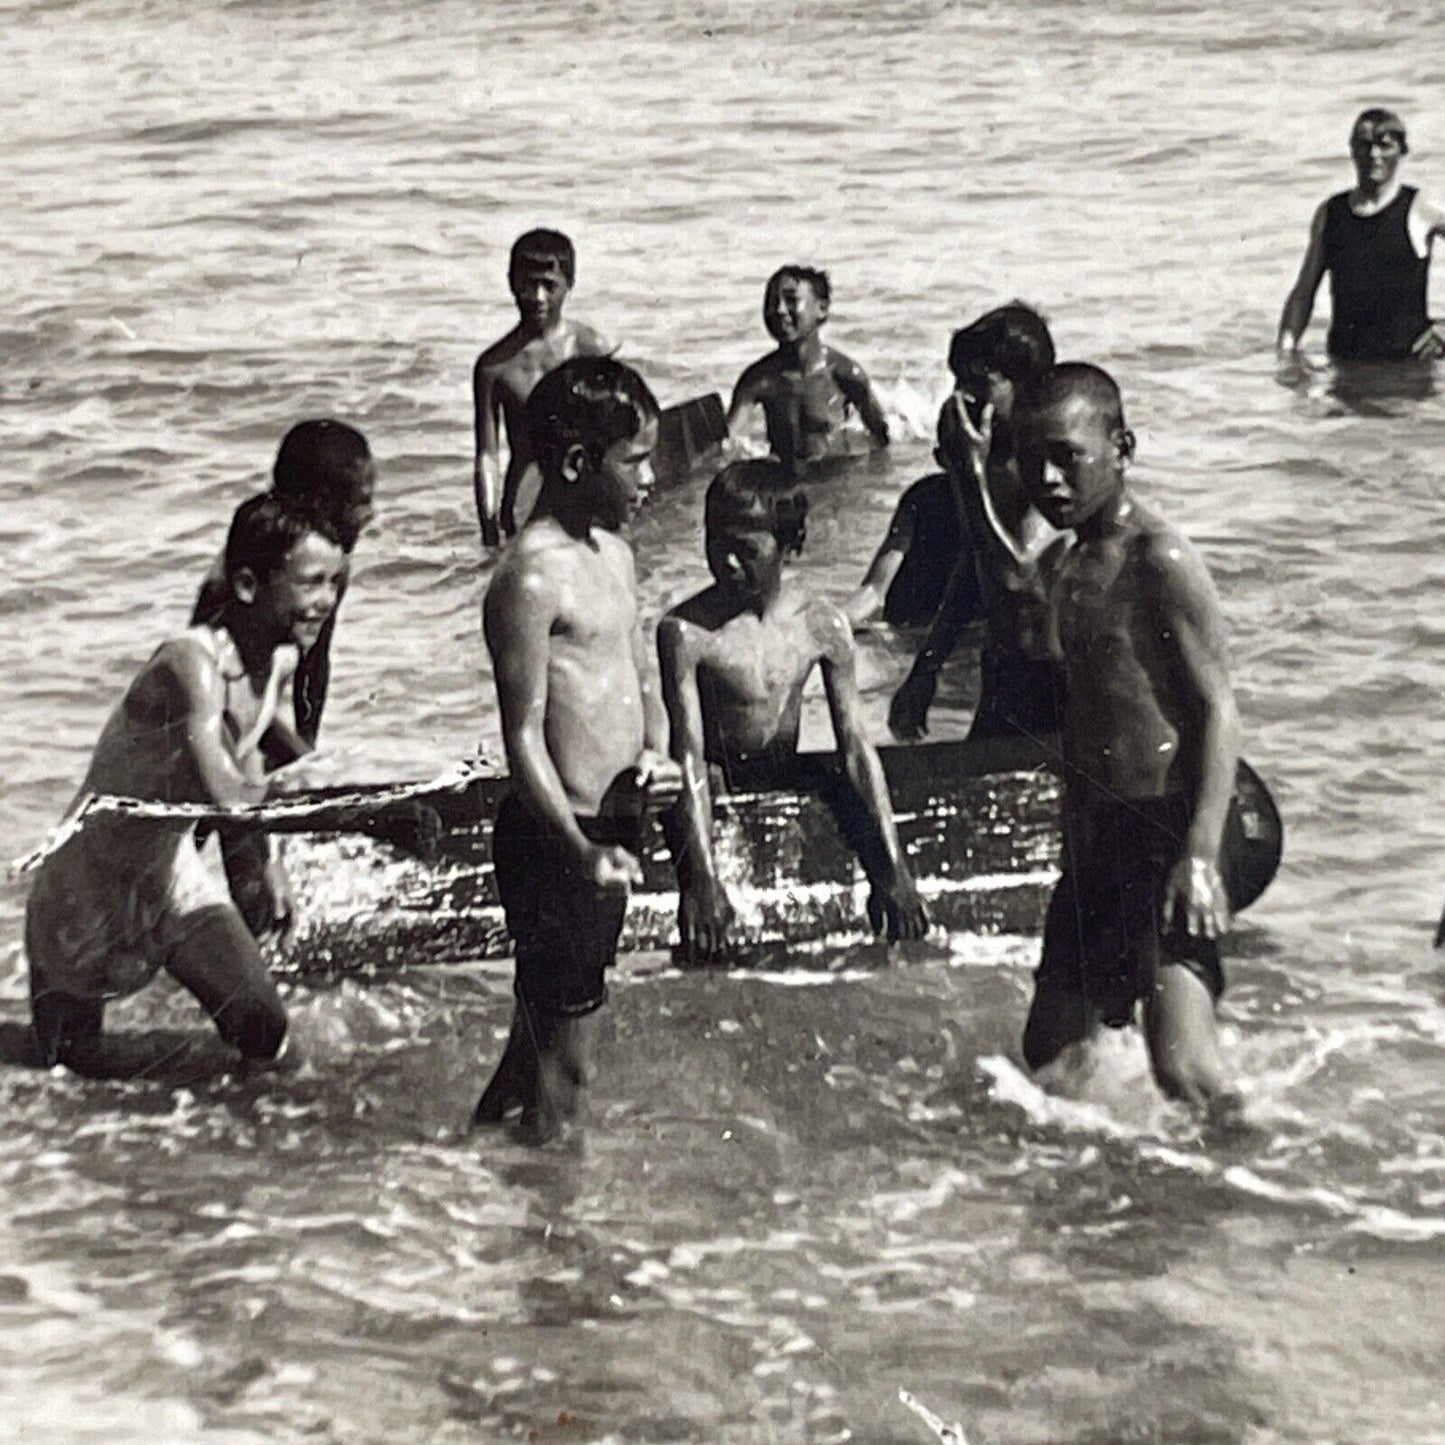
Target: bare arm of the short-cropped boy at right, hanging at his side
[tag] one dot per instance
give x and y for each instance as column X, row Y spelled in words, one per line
column 1190, row 616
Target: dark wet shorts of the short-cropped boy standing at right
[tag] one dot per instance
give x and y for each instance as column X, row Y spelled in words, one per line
column 1103, row 939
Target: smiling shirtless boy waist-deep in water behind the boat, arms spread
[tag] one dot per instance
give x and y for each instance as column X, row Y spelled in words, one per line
column 804, row 388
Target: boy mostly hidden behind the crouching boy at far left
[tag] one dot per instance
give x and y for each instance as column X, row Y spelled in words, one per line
column 324, row 470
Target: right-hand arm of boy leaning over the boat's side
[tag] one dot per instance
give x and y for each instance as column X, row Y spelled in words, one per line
column 894, row 902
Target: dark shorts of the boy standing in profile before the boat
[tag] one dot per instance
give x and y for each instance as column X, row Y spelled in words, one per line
column 564, row 928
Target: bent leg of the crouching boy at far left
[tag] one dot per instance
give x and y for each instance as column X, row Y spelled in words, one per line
column 213, row 953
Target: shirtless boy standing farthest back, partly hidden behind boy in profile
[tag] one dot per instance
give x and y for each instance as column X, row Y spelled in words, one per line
column 541, row 274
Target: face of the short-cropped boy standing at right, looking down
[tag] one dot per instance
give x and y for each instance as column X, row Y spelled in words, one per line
column 1070, row 462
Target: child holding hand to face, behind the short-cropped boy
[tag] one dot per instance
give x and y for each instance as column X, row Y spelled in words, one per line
column 1006, row 550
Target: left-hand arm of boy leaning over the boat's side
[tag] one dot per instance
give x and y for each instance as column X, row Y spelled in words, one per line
column 704, row 913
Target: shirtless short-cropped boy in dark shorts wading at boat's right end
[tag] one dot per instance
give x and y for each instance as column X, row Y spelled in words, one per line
column 1151, row 749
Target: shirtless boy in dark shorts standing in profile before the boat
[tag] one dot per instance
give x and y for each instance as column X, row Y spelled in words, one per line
column 582, row 728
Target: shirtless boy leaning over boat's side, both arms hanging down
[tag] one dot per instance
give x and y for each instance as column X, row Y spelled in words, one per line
column 735, row 661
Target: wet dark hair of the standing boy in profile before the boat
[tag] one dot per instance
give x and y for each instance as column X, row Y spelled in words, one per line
column 589, row 402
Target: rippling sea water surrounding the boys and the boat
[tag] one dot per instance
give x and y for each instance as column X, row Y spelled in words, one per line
column 797, row 1194
